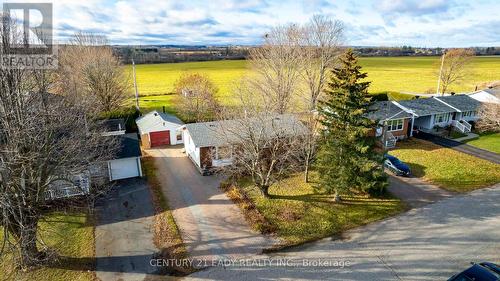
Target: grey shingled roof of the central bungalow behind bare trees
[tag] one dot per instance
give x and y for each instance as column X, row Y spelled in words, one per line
column 219, row 133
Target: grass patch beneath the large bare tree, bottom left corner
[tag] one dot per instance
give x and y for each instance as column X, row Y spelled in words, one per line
column 72, row 236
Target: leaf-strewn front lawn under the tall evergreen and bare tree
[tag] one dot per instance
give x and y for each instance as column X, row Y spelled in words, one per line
column 297, row 214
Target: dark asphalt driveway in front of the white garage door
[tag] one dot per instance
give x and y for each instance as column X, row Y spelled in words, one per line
column 124, row 237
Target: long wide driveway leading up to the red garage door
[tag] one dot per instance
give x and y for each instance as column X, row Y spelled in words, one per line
column 212, row 227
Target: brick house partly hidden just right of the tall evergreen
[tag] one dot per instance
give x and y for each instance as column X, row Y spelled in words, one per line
column 393, row 122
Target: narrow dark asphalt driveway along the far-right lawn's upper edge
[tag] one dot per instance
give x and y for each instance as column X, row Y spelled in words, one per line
column 461, row 147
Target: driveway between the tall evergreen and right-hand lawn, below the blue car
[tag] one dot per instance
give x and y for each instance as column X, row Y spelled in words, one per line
column 415, row 192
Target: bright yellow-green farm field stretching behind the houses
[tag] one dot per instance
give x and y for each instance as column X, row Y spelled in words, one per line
column 388, row 74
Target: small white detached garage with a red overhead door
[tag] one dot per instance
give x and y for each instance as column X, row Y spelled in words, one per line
column 159, row 129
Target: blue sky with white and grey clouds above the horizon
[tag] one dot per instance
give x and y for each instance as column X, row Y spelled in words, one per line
column 425, row 23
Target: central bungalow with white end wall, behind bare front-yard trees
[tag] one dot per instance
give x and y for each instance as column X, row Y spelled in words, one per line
column 209, row 146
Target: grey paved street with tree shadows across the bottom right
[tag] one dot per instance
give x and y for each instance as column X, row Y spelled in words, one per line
column 429, row 243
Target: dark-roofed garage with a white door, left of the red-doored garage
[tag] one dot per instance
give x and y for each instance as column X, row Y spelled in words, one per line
column 127, row 163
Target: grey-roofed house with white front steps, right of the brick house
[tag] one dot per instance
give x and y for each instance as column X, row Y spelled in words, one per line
column 429, row 113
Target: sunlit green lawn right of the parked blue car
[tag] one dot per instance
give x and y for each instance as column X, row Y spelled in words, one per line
column 445, row 167
